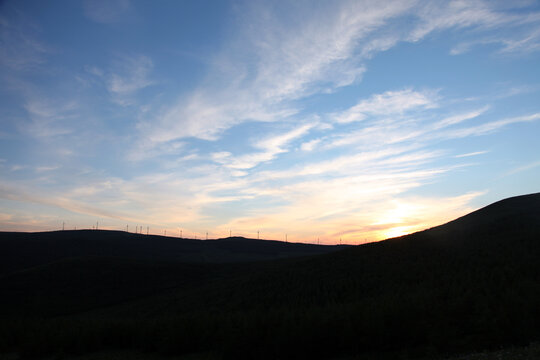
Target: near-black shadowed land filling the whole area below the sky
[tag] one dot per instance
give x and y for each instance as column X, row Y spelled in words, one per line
column 468, row 286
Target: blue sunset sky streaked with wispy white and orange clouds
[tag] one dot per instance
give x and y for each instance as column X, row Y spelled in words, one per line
column 319, row 121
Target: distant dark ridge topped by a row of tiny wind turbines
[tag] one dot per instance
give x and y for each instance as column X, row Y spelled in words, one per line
column 22, row 250
